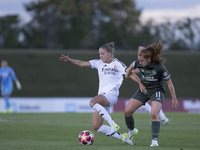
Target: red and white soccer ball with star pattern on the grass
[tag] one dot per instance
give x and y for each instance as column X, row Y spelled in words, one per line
column 86, row 137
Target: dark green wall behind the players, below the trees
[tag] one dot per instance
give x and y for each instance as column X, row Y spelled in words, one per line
column 43, row 75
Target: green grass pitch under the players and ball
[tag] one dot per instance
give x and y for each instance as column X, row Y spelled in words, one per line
column 50, row 131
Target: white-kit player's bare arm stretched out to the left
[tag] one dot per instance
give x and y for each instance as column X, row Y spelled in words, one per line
column 78, row 63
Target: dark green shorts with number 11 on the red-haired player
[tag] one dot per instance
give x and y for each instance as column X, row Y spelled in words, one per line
column 152, row 96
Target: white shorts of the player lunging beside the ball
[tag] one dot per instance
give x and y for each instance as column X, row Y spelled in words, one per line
column 112, row 98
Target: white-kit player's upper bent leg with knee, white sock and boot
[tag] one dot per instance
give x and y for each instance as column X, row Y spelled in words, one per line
column 98, row 103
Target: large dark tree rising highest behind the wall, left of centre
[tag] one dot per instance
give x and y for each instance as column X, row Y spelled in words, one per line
column 80, row 24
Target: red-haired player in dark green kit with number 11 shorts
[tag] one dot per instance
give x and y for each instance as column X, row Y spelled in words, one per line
column 154, row 73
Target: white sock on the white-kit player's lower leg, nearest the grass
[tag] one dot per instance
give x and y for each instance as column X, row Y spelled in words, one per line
column 106, row 130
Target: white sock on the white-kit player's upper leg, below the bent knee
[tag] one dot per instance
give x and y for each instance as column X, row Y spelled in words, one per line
column 103, row 113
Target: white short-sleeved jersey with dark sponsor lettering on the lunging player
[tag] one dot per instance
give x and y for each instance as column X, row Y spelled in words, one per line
column 110, row 75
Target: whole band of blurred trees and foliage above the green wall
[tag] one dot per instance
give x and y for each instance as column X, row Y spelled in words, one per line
column 88, row 24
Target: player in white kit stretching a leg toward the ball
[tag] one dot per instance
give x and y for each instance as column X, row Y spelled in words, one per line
column 110, row 72
